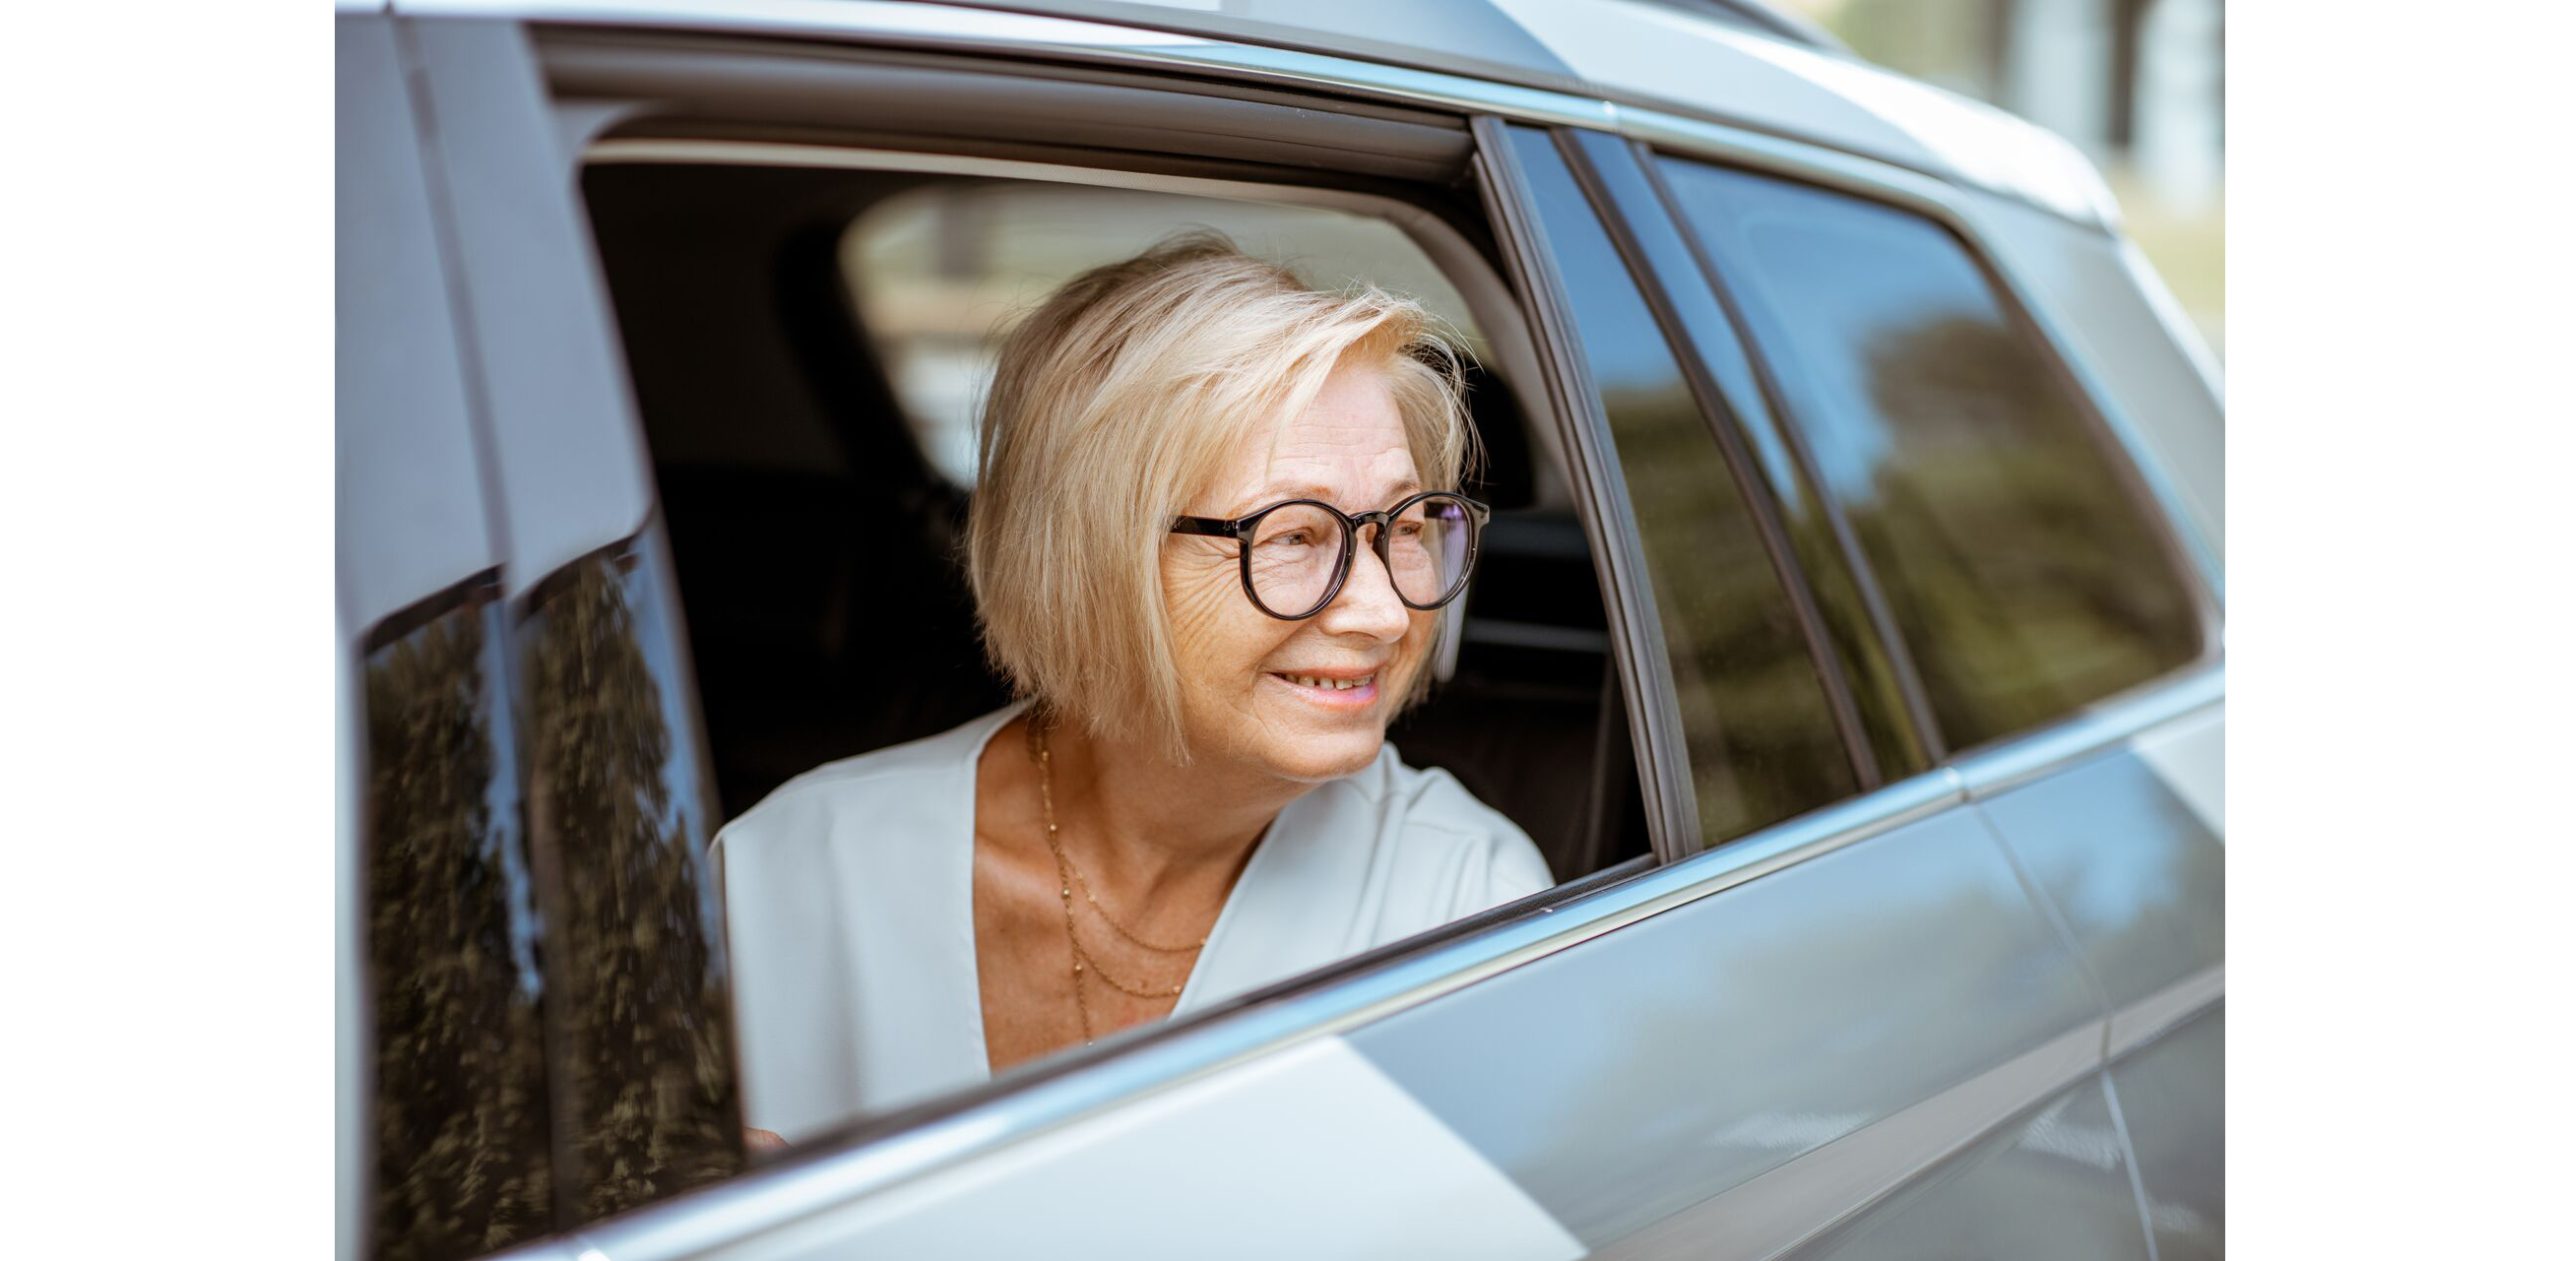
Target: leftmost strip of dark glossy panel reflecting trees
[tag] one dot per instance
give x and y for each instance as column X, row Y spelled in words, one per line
column 460, row 1109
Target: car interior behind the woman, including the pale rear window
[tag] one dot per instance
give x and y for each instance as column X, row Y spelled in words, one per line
column 808, row 344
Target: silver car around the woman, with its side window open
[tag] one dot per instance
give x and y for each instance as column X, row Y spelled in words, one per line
column 1847, row 630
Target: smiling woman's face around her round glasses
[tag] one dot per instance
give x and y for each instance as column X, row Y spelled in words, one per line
column 1245, row 674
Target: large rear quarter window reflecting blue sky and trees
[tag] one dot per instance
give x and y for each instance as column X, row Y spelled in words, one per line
column 2019, row 561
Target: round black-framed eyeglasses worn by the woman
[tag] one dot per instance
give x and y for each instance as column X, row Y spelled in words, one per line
column 1299, row 554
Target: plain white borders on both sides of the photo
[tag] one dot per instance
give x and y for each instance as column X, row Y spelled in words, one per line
column 165, row 495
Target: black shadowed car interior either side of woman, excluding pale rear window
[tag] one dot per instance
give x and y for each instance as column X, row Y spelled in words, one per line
column 818, row 546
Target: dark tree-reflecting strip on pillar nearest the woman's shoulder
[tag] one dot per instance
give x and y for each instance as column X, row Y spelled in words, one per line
column 644, row 999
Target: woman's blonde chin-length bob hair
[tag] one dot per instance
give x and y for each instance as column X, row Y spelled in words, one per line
column 1115, row 405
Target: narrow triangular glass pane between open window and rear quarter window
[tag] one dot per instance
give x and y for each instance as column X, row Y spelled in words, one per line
column 1763, row 738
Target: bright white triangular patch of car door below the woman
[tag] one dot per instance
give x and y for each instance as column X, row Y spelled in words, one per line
column 1307, row 1152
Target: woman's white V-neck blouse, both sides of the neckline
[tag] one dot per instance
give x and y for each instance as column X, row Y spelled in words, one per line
column 854, row 945
